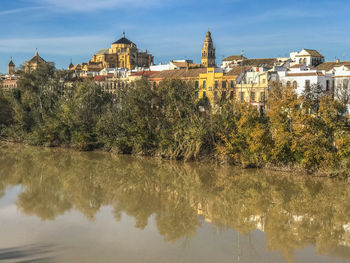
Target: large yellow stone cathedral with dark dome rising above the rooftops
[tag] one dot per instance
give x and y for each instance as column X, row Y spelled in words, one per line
column 122, row 54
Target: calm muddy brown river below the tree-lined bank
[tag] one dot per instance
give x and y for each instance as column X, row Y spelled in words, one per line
column 64, row 206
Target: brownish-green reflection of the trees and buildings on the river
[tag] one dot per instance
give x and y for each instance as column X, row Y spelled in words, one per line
column 294, row 212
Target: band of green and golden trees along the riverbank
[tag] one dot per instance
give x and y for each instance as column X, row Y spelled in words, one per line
column 310, row 132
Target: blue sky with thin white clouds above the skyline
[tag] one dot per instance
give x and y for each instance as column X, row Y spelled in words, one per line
column 75, row 29
